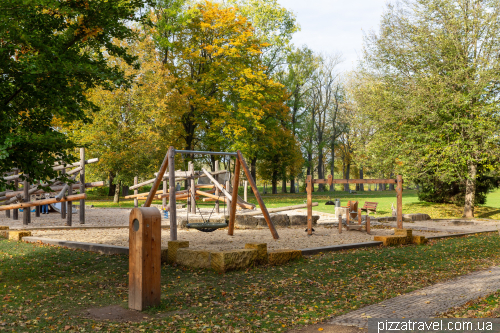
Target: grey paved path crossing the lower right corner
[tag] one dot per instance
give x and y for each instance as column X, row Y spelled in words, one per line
column 427, row 302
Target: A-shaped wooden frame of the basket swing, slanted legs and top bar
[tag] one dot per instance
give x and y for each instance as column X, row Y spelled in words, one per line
column 169, row 162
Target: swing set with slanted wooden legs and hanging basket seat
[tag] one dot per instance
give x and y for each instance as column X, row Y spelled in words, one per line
column 206, row 225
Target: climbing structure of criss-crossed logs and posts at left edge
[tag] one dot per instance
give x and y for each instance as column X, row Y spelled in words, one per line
column 11, row 201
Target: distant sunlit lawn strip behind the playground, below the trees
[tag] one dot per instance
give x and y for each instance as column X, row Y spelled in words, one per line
column 411, row 204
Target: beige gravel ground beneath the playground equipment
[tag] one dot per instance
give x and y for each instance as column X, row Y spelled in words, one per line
column 294, row 238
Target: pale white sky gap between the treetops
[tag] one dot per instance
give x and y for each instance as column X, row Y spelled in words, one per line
column 332, row 26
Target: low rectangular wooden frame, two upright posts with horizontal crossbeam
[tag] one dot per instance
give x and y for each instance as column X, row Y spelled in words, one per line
column 399, row 194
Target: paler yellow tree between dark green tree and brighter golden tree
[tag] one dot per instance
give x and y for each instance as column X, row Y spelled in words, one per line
column 135, row 122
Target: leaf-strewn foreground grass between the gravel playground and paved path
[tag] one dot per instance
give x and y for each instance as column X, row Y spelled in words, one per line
column 46, row 288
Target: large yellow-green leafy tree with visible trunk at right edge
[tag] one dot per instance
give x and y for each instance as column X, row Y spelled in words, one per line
column 432, row 86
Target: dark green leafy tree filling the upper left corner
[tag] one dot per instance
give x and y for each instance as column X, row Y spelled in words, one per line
column 51, row 52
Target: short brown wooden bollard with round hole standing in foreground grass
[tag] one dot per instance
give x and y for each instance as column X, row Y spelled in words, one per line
column 144, row 258
